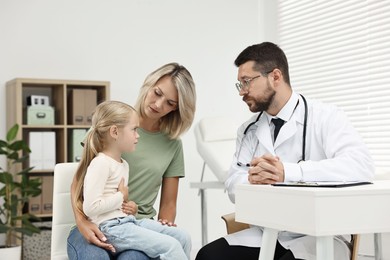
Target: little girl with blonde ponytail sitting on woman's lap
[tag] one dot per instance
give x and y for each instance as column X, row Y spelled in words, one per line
column 103, row 177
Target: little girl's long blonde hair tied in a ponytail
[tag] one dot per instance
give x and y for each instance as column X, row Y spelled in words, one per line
column 106, row 114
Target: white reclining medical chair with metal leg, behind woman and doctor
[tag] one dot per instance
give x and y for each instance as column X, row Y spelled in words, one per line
column 215, row 142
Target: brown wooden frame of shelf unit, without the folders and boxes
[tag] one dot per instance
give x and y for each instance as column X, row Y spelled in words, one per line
column 17, row 91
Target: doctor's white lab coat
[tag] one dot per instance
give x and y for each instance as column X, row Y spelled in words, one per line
column 334, row 152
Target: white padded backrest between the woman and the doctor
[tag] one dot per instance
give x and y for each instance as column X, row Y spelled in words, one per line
column 215, row 142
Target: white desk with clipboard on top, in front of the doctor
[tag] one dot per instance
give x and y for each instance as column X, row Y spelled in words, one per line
column 320, row 212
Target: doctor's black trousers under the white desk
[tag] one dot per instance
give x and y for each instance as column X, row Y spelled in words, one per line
column 221, row 250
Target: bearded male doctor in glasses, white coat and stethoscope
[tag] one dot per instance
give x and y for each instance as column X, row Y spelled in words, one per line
column 288, row 139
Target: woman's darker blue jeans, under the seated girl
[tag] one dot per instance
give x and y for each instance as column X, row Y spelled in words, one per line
column 79, row 249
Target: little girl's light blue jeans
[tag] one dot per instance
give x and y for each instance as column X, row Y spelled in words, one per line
column 148, row 236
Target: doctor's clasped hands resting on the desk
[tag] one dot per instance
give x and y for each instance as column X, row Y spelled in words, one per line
column 266, row 169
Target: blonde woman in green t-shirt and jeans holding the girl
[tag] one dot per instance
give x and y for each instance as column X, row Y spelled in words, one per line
column 166, row 105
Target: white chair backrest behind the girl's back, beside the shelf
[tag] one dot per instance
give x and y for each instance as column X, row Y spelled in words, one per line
column 63, row 218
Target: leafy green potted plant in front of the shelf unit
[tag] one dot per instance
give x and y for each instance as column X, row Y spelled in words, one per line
column 15, row 190
